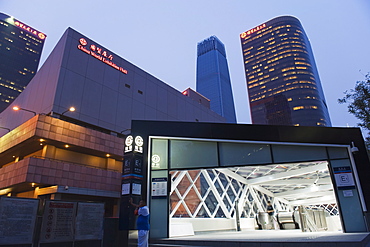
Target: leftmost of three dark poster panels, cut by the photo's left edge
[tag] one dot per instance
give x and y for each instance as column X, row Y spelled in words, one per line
column 17, row 220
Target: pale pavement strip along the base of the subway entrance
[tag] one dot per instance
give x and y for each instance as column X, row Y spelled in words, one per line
column 268, row 238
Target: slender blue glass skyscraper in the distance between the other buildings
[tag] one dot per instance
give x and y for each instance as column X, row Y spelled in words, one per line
column 213, row 79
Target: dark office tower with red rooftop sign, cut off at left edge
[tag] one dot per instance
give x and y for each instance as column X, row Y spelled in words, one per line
column 20, row 51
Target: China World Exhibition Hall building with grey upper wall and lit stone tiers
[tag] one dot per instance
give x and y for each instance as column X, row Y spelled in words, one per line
column 49, row 152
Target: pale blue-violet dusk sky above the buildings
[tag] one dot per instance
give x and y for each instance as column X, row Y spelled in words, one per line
column 161, row 36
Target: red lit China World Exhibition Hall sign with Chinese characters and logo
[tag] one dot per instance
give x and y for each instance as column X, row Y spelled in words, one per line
column 99, row 54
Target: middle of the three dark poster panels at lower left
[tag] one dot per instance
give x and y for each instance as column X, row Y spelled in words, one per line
column 58, row 222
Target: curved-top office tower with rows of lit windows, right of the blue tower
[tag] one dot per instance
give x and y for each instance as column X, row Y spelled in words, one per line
column 283, row 83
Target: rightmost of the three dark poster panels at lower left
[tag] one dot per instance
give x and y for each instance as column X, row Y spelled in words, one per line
column 89, row 221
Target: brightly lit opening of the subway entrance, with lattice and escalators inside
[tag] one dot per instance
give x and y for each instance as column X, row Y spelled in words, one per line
column 236, row 199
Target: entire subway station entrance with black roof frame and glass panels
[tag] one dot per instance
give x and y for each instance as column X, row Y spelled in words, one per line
column 209, row 178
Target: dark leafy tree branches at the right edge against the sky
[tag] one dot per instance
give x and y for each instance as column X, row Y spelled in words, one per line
column 358, row 100
